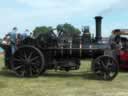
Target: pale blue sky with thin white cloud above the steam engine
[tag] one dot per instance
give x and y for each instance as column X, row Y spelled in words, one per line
column 28, row 14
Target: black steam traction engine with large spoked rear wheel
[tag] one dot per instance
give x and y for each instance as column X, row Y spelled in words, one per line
column 49, row 51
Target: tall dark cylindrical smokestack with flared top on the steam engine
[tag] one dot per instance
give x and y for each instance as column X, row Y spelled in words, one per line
column 98, row 27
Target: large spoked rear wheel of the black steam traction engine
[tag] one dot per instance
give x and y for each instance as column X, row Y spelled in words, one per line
column 27, row 61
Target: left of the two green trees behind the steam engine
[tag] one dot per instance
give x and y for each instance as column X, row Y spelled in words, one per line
column 41, row 30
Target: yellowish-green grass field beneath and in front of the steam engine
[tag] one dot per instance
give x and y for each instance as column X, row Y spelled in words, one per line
column 74, row 83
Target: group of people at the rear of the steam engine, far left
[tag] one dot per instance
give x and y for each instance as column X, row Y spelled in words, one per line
column 13, row 38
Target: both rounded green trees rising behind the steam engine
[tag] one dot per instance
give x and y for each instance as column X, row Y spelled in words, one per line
column 68, row 30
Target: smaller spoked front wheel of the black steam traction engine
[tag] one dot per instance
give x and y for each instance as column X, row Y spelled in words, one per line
column 105, row 67
